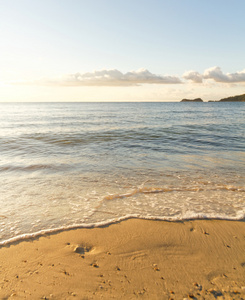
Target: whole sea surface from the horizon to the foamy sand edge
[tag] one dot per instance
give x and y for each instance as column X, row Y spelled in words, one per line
column 64, row 165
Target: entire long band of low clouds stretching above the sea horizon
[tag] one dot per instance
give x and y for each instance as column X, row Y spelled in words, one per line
column 139, row 77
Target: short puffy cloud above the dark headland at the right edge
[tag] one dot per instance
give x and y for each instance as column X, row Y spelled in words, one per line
column 216, row 74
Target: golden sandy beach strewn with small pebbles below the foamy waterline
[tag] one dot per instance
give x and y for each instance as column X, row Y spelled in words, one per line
column 201, row 259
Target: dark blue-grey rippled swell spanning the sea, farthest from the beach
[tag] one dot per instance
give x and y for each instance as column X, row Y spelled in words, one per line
column 157, row 135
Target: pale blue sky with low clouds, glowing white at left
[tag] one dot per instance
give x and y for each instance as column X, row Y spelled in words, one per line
column 121, row 50
